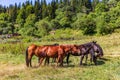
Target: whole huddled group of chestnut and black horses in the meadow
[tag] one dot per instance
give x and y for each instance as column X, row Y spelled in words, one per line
column 59, row 52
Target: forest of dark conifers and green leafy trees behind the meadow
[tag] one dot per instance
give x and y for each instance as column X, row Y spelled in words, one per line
column 38, row 18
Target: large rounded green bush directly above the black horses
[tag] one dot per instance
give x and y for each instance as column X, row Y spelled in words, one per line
column 85, row 23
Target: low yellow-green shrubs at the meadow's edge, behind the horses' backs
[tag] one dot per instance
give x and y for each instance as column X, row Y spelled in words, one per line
column 63, row 34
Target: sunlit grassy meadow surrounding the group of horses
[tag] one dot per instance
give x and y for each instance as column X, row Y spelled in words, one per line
column 12, row 62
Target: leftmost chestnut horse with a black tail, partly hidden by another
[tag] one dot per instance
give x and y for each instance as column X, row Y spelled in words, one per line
column 39, row 51
